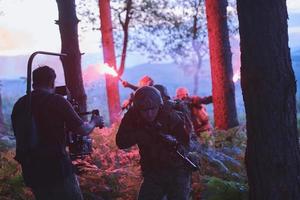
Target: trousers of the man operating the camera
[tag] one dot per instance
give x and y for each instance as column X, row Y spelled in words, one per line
column 68, row 189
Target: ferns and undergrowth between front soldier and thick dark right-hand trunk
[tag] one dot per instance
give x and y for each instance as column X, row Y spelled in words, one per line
column 222, row 173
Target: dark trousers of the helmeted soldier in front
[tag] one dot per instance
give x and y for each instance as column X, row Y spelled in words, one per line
column 175, row 185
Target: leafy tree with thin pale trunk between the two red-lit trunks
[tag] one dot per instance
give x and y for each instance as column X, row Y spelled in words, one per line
column 171, row 29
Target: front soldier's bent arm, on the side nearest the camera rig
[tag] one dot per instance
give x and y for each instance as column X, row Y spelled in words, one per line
column 126, row 135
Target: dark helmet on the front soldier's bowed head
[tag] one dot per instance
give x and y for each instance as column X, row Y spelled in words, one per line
column 147, row 97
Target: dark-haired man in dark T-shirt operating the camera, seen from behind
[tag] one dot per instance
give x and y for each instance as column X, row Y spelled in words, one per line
column 47, row 168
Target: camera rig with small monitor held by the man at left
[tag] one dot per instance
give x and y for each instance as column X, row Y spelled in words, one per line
column 78, row 145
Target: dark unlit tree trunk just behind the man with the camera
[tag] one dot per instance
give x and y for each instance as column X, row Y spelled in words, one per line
column 68, row 22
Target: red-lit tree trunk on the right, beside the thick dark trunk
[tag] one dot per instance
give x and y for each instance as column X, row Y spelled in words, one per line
column 225, row 114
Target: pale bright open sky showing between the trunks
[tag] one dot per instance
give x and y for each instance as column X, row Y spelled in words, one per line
column 28, row 25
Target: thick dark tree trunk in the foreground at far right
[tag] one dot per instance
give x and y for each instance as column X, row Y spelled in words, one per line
column 269, row 92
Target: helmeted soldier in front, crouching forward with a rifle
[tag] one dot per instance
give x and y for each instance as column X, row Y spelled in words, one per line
column 156, row 130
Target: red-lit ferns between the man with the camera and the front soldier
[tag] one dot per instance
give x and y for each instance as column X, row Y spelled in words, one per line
column 117, row 172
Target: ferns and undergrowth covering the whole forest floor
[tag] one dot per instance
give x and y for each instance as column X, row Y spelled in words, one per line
column 110, row 173
